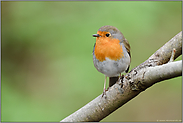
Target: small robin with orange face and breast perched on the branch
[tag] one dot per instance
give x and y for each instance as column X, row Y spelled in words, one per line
column 111, row 54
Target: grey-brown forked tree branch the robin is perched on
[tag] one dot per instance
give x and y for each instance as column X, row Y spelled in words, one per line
column 153, row 70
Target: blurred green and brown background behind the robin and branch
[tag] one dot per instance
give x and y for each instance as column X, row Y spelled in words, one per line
column 47, row 67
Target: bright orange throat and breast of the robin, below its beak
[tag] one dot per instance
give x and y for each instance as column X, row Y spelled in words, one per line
column 107, row 47
